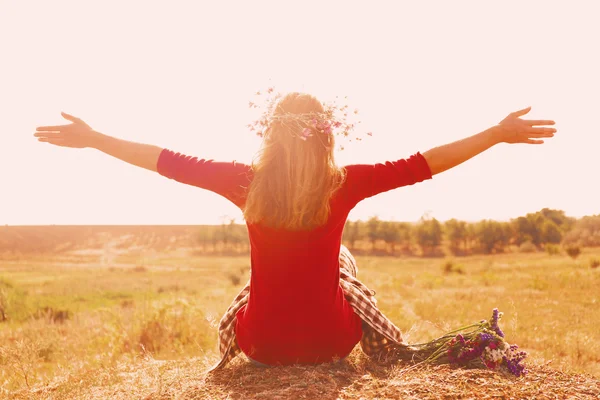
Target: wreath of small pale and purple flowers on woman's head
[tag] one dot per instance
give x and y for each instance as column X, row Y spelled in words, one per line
column 332, row 121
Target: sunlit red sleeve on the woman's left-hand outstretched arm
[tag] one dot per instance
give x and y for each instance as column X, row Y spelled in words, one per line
column 229, row 179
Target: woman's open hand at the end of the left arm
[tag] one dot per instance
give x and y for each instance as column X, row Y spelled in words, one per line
column 78, row 134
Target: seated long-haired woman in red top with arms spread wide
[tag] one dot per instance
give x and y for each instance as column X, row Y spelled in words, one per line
column 299, row 306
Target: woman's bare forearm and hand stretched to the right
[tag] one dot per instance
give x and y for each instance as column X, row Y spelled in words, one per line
column 511, row 129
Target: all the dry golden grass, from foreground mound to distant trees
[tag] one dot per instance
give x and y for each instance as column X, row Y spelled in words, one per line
column 143, row 326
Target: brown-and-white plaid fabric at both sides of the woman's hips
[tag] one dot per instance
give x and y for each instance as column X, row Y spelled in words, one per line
column 381, row 339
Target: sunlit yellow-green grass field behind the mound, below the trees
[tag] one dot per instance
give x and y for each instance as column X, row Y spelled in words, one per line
column 77, row 315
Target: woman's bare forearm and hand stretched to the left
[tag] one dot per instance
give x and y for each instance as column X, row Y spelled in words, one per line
column 78, row 134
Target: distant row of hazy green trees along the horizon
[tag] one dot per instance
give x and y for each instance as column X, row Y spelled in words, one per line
column 430, row 237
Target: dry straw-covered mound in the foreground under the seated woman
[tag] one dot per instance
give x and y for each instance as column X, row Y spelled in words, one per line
column 354, row 378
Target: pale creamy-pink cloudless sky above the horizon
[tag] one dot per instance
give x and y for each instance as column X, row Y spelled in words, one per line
column 179, row 74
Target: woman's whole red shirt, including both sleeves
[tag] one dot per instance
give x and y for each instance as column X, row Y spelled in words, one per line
column 296, row 311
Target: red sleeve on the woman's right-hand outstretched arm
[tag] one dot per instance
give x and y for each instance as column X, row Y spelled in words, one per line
column 363, row 181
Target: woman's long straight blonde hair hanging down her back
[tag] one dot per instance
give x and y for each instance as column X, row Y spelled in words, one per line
column 294, row 180
